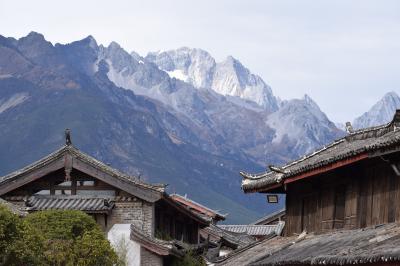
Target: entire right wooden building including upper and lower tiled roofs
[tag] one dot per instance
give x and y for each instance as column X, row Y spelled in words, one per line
column 342, row 203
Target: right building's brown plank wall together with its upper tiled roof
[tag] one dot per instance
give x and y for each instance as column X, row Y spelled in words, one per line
column 352, row 183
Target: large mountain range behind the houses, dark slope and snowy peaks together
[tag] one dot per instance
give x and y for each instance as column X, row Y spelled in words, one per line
column 176, row 117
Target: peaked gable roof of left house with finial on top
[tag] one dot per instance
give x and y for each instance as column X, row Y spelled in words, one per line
column 69, row 156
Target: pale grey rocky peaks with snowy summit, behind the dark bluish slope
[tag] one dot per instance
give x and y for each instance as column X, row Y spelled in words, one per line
column 218, row 112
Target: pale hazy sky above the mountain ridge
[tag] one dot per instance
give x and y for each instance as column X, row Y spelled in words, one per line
column 344, row 54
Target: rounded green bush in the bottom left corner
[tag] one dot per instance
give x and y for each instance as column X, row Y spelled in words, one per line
column 53, row 238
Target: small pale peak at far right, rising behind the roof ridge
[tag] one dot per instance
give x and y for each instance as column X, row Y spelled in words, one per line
column 380, row 113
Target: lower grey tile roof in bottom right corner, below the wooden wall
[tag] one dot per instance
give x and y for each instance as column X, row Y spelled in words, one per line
column 360, row 246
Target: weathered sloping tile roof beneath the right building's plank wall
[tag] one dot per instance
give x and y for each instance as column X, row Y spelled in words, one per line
column 370, row 245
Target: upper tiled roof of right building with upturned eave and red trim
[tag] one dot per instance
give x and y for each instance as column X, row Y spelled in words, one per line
column 357, row 145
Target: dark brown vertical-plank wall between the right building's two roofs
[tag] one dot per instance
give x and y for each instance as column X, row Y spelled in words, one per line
column 371, row 195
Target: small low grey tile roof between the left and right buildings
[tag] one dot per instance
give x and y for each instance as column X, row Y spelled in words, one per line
column 255, row 230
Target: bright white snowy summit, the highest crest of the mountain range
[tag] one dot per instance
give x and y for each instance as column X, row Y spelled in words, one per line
column 228, row 78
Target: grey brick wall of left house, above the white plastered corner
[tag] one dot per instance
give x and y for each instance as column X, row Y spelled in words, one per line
column 133, row 211
